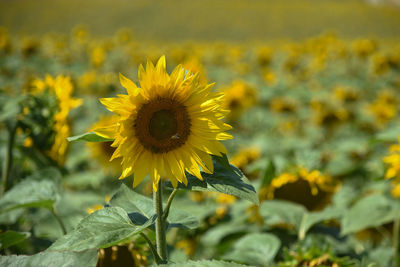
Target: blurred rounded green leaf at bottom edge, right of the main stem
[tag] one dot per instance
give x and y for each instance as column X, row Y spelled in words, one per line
column 256, row 249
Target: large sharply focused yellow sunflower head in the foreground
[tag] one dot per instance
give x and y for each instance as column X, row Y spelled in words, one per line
column 171, row 124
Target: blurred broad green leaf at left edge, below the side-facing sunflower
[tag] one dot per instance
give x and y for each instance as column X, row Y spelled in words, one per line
column 31, row 193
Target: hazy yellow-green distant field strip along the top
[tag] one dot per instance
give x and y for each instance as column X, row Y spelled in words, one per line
column 236, row 20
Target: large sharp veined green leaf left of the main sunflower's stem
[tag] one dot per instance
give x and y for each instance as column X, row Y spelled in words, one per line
column 101, row 229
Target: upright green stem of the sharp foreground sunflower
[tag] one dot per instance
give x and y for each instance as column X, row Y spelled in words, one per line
column 161, row 239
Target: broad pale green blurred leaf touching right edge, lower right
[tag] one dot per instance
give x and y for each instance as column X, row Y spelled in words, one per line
column 371, row 211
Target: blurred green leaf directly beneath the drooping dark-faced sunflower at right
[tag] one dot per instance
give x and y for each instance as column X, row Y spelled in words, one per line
column 280, row 211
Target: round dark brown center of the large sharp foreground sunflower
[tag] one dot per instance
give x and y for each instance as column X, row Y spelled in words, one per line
column 162, row 125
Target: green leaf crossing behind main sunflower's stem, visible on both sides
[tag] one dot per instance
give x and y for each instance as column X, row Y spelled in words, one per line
column 140, row 208
